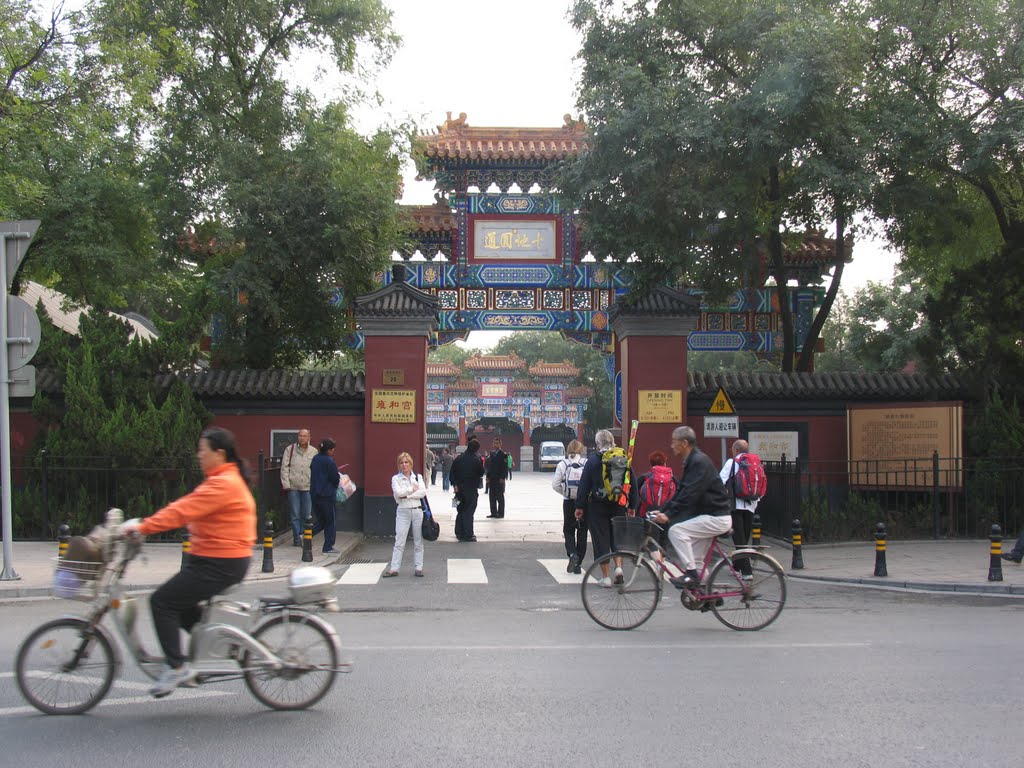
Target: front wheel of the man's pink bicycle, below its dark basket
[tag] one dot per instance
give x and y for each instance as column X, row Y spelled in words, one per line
column 625, row 603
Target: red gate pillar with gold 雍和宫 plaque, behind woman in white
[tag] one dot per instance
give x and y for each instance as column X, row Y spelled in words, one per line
column 397, row 323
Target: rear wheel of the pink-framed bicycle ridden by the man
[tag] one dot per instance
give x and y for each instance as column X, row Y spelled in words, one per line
column 748, row 605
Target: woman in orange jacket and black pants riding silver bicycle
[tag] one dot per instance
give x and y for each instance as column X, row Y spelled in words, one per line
column 221, row 516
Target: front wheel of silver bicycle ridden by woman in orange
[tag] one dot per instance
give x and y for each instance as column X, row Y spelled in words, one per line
column 66, row 667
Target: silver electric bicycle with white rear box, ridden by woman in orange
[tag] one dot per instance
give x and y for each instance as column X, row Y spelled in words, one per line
column 286, row 654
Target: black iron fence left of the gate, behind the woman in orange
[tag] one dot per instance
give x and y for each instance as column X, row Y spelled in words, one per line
column 49, row 491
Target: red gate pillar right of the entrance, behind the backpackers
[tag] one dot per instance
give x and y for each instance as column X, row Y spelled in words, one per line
column 653, row 340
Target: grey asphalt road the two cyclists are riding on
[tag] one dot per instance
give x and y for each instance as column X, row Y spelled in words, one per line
column 510, row 671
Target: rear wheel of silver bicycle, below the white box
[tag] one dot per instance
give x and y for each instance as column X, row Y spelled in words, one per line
column 311, row 663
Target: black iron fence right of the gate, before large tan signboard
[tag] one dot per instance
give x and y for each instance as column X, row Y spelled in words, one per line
column 933, row 498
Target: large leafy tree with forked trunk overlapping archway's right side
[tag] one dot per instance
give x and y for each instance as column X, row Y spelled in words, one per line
column 721, row 133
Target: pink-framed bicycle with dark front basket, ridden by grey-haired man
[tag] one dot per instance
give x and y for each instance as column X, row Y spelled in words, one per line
column 741, row 604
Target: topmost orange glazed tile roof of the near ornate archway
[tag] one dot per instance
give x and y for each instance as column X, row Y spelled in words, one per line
column 457, row 140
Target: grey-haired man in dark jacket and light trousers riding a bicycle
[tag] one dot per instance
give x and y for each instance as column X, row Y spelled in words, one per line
column 701, row 509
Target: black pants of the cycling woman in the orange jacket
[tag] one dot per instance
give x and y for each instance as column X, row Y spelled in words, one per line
column 176, row 604
